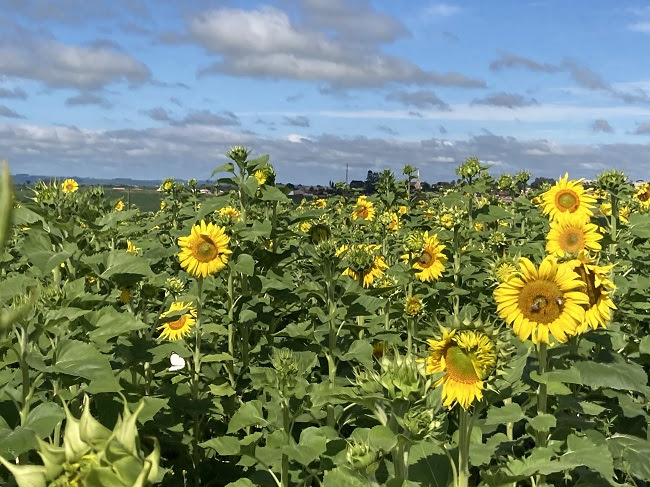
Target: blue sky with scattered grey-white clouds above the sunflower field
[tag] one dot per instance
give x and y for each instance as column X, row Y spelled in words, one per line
column 150, row 89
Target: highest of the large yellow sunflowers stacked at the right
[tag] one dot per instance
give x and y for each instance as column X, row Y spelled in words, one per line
column 567, row 197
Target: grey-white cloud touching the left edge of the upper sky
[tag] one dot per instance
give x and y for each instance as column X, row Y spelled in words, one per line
column 62, row 65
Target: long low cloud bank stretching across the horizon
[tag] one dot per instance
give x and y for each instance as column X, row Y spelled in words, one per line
column 180, row 151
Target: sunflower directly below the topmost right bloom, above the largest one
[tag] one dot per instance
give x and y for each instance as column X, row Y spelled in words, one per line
column 571, row 236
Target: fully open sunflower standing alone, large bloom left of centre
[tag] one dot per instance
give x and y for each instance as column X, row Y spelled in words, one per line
column 205, row 251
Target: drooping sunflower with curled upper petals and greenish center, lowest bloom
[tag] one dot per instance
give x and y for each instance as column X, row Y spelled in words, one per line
column 467, row 357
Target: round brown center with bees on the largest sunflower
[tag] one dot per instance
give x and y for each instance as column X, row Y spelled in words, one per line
column 541, row 301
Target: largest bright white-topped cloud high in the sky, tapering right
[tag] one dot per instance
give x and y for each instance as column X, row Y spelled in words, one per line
column 277, row 47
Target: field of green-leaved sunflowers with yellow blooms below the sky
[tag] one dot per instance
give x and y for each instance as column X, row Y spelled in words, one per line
column 485, row 335
